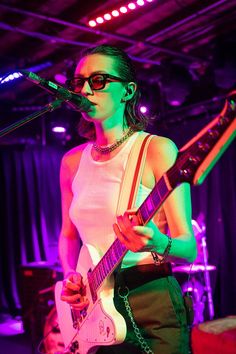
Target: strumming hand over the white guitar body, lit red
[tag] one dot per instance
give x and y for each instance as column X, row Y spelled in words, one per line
column 74, row 291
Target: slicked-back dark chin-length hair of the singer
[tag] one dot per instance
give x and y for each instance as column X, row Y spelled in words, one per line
column 125, row 68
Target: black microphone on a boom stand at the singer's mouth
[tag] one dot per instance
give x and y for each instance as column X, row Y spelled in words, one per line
column 78, row 102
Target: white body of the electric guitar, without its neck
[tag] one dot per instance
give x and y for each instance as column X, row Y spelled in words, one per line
column 102, row 324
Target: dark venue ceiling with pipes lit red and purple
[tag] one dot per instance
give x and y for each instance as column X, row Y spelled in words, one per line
column 185, row 52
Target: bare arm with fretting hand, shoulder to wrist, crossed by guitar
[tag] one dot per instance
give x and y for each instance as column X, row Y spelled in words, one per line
column 177, row 206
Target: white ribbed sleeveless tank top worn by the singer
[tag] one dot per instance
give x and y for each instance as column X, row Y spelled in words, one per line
column 96, row 189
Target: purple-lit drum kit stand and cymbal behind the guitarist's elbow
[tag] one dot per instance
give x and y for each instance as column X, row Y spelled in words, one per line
column 198, row 283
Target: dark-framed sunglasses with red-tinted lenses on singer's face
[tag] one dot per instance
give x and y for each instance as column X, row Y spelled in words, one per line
column 96, row 82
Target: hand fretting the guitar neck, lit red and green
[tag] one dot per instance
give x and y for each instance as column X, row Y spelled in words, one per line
column 135, row 237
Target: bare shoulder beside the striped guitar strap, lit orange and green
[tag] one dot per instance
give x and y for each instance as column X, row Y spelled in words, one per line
column 161, row 154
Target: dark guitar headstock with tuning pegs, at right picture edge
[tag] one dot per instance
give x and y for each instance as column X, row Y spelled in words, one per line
column 196, row 159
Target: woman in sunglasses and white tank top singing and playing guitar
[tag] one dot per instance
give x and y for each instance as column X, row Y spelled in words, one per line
column 91, row 176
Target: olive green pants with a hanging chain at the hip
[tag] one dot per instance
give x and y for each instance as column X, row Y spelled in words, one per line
column 159, row 312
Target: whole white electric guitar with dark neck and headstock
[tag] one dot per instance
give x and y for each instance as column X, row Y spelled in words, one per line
column 83, row 332
